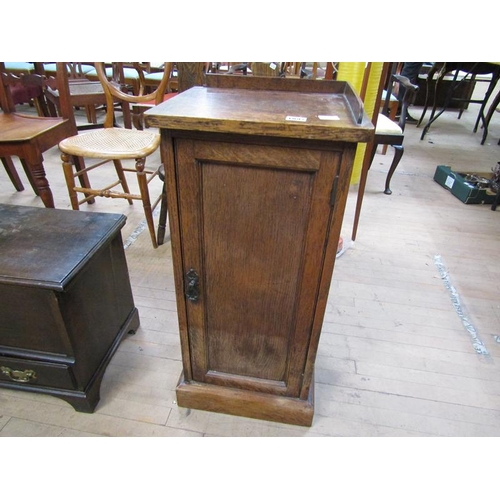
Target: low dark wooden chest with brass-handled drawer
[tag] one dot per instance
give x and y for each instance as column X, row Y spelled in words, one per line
column 65, row 301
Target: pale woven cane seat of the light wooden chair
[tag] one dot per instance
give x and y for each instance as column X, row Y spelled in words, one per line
column 111, row 143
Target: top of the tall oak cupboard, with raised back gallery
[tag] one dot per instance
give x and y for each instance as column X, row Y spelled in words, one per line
column 317, row 110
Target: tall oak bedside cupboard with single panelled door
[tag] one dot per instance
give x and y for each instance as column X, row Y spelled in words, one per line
column 257, row 172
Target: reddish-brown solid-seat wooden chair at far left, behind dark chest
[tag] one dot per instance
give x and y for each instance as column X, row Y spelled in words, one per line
column 29, row 136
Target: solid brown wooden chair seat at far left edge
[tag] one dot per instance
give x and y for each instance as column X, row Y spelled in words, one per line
column 15, row 127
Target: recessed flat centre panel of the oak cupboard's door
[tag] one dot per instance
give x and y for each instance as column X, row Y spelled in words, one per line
column 254, row 224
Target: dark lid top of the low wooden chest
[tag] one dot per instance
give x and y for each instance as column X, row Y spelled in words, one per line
column 45, row 247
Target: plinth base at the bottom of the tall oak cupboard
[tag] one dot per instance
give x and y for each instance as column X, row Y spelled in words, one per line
column 199, row 396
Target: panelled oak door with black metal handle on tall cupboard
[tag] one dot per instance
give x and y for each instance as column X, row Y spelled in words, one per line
column 254, row 224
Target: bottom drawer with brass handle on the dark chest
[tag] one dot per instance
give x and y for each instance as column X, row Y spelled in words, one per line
column 35, row 373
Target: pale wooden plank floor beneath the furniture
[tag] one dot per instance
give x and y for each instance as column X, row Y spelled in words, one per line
column 395, row 356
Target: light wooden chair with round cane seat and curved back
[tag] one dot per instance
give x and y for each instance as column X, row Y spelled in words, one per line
column 113, row 144
